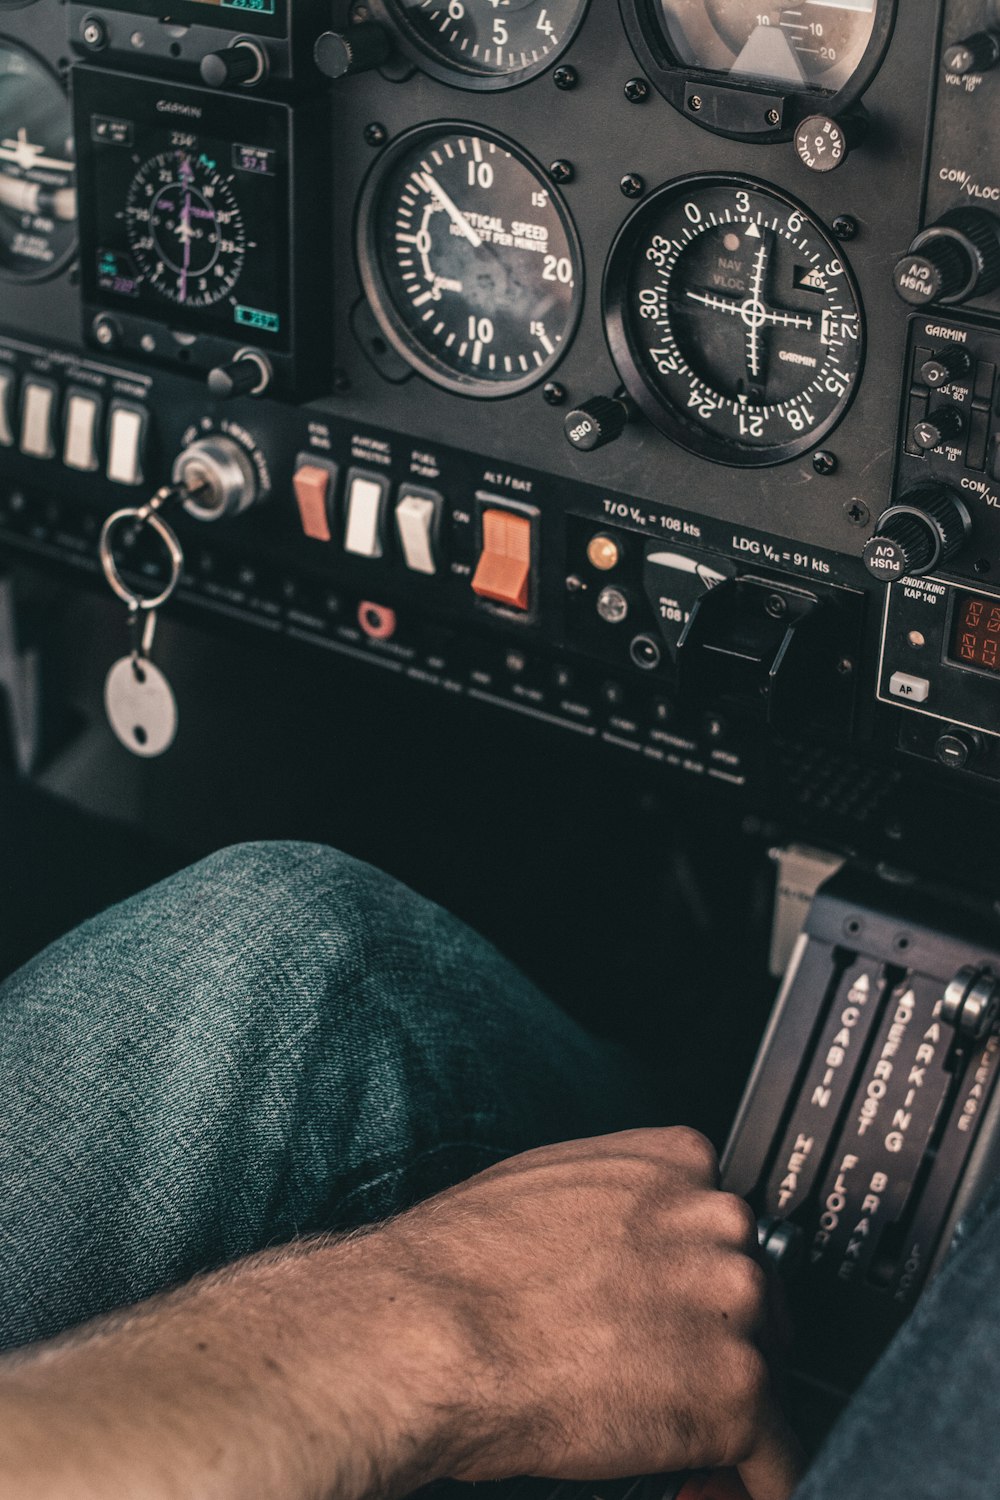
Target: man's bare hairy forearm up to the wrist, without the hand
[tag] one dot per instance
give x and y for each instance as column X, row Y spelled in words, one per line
column 295, row 1375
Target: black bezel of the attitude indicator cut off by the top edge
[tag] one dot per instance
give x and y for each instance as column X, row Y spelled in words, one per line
column 672, row 77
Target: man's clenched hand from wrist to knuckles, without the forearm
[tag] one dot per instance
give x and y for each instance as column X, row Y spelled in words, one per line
column 611, row 1312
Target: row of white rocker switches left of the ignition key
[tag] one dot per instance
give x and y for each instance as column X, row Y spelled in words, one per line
column 43, row 425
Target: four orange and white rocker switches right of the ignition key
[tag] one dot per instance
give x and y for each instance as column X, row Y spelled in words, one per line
column 506, row 565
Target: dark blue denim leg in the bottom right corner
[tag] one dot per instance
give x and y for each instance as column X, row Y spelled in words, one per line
column 926, row 1426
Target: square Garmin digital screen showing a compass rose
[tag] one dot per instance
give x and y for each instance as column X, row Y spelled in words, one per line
column 185, row 215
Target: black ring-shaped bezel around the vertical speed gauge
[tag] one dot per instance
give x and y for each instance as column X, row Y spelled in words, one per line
column 382, row 302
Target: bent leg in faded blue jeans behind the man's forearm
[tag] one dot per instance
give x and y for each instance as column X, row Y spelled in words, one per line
column 275, row 1042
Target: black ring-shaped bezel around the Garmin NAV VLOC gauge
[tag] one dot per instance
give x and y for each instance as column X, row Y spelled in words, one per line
column 618, row 323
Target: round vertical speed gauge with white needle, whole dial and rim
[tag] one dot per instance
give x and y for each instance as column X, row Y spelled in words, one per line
column 470, row 260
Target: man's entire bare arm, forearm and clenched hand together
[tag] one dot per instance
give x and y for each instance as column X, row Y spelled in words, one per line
column 582, row 1312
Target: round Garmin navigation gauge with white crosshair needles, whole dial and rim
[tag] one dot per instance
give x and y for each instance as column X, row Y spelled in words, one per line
column 734, row 320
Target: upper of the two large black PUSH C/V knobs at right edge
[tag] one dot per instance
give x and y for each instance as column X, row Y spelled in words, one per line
column 953, row 262
